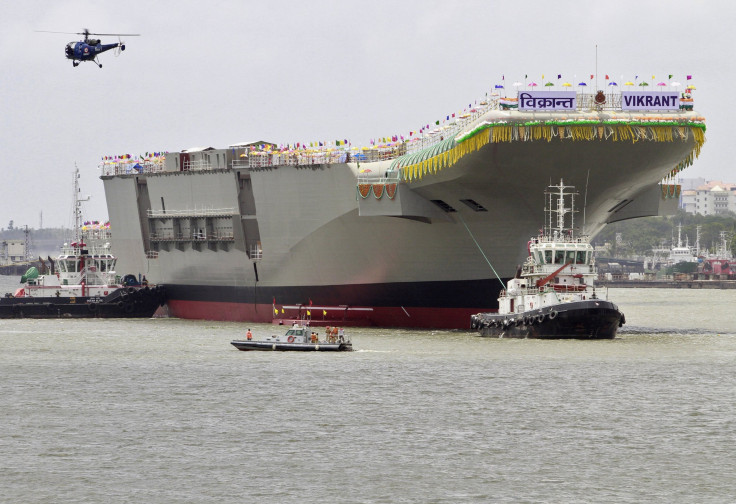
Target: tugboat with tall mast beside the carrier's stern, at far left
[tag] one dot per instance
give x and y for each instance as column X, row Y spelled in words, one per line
column 82, row 282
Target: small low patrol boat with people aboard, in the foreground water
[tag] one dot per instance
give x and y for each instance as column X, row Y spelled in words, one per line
column 297, row 338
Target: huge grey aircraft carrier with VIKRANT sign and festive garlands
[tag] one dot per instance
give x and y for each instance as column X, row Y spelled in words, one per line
column 418, row 231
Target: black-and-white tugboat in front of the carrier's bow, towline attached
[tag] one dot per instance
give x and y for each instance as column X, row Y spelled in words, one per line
column 553, row 294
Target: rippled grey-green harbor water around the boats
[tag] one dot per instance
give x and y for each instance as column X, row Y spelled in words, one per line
column 167, row 411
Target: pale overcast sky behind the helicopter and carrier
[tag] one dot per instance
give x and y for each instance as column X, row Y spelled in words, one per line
column 220, row 72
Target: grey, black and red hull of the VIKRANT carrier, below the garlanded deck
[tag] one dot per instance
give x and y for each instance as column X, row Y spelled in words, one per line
column 422, row 259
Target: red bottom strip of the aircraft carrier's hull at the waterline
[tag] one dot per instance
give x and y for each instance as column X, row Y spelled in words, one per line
column 385, row 316
